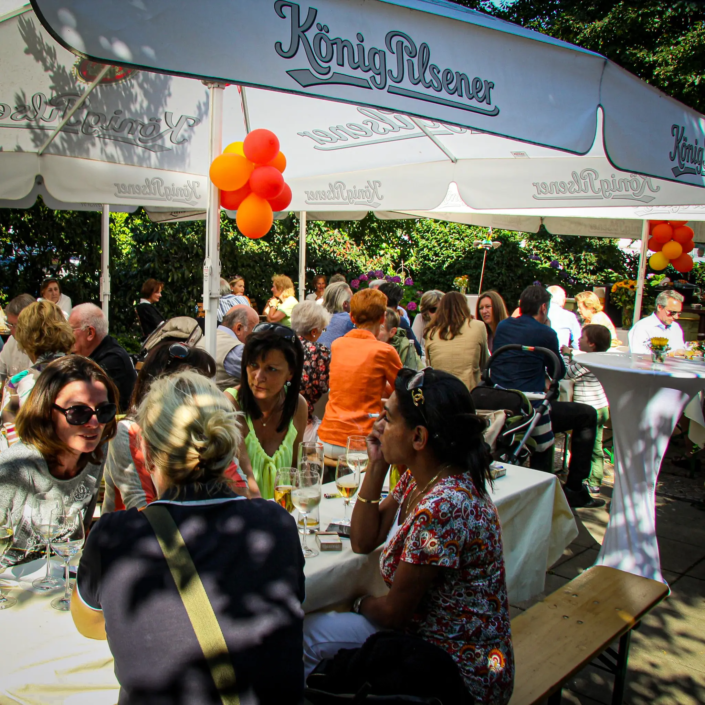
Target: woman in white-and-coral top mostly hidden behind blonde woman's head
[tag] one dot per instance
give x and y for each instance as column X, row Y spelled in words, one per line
column 128, row 483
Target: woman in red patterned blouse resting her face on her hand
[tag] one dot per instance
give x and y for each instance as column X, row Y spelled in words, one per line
column 442, row 557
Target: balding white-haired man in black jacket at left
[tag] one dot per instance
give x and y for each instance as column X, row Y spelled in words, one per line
column 90, row 328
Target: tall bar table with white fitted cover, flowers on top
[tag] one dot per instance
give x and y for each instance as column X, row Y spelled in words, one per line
column 646, row 400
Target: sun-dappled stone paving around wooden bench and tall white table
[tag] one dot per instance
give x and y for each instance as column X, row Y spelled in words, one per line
column 667, row 657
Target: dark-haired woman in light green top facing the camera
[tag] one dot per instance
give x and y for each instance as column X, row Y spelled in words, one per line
column 274, row 413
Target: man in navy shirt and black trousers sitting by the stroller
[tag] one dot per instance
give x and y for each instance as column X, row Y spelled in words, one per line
column 526, row 371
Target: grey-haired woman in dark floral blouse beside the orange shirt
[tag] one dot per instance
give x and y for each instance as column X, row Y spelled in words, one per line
column 309, row 320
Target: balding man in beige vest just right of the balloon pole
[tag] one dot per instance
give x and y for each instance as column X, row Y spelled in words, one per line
column 230, row 338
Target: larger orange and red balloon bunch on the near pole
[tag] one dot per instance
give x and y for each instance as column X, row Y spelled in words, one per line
column 249, row 176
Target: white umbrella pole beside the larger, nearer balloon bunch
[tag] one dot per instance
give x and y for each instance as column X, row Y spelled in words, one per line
column 211, row 264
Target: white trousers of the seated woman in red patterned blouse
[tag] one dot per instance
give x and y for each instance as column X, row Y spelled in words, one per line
column 326, row 633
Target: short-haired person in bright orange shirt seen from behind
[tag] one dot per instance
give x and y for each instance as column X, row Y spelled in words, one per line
column 362, row 373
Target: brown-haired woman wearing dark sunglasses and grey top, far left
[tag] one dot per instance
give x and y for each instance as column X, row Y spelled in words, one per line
column 63, row 428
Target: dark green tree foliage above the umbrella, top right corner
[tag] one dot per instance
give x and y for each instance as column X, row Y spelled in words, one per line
column 659, row 41
